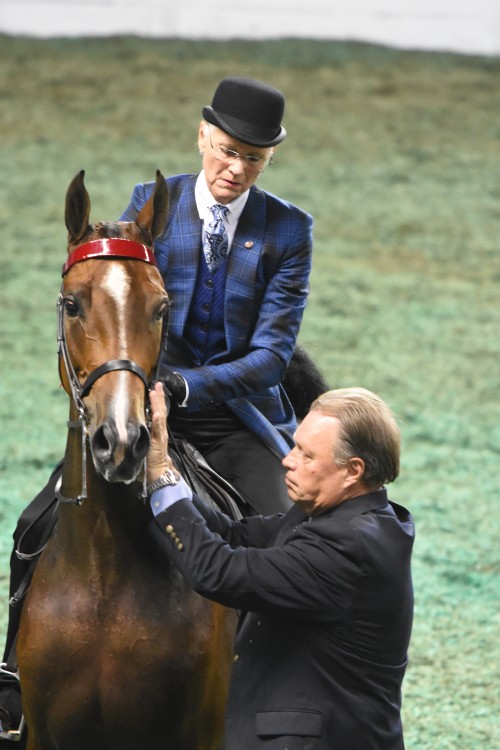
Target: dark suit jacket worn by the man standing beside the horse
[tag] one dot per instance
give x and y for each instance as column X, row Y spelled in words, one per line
column 321, row 650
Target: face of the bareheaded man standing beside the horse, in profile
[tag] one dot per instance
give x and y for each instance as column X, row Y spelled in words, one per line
column 313, row 479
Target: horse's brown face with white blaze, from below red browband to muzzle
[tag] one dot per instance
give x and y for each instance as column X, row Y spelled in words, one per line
column 114, row 313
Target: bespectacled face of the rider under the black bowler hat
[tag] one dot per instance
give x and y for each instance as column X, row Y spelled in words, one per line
column 228, row 179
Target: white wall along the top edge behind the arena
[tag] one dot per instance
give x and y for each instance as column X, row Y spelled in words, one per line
column 468, row 26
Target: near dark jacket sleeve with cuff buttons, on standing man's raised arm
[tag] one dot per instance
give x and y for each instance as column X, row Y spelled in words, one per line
column 311, row 575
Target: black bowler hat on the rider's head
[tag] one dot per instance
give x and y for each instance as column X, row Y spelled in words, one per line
column 248, row 110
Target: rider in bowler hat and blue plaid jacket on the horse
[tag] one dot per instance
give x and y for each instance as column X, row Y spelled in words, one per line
column 233, row 328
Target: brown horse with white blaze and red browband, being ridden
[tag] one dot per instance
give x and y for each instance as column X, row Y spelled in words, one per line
column 114, row 649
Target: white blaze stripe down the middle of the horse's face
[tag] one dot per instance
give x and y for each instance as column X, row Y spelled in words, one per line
column 117, row 284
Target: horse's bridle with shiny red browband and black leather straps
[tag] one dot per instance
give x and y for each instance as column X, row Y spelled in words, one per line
column 102, row 248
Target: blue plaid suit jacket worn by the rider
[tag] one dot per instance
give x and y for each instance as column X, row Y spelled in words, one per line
column 266, row 290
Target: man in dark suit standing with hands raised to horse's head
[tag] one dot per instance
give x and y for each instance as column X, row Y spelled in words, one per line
column 324, row 591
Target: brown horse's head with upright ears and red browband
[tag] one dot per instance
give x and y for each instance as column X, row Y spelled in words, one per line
column 113, row 308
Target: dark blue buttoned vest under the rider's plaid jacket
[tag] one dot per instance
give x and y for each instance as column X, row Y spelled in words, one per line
column 204, row 328
